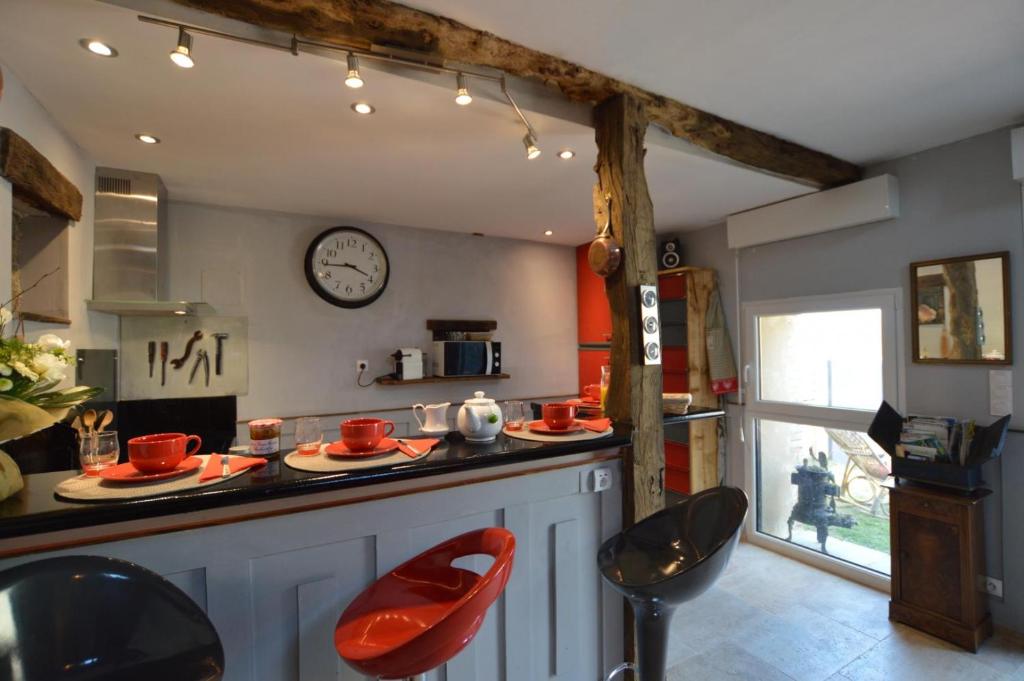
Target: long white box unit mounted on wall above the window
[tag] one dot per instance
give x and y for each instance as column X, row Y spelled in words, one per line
column 860, row 203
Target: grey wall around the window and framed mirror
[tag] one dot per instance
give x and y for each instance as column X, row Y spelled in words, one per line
column 956, row 200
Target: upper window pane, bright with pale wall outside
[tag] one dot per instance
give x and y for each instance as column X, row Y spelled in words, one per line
column 823, row 359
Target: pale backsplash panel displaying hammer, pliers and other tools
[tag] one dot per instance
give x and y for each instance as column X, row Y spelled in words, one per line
column 211, row 352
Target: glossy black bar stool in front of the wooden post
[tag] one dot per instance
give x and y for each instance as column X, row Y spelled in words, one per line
column 668, row 560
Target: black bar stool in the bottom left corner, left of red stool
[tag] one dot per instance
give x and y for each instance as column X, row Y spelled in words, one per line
column 89, row 618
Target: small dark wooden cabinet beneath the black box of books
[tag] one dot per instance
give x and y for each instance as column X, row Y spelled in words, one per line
column 938, row 560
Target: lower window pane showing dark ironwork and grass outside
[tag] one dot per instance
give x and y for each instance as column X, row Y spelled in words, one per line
column 828, row 483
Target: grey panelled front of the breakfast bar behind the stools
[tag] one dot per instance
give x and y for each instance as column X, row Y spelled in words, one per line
column 276, row 584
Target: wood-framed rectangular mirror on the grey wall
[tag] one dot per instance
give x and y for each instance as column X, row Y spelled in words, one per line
column 961, row 311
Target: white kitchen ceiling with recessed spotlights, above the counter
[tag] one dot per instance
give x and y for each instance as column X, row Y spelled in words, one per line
column 263, row 130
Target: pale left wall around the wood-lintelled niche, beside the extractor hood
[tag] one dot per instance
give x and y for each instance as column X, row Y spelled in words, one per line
column 23, row 114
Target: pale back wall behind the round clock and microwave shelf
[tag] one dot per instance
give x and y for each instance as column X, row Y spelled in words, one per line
column 303, row 351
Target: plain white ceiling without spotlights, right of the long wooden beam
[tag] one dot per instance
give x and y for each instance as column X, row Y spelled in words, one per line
column 866, row 80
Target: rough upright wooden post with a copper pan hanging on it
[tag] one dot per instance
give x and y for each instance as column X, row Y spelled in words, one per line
column 635, row 394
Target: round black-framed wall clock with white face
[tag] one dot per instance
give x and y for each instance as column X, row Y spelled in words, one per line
column 348, row 268
